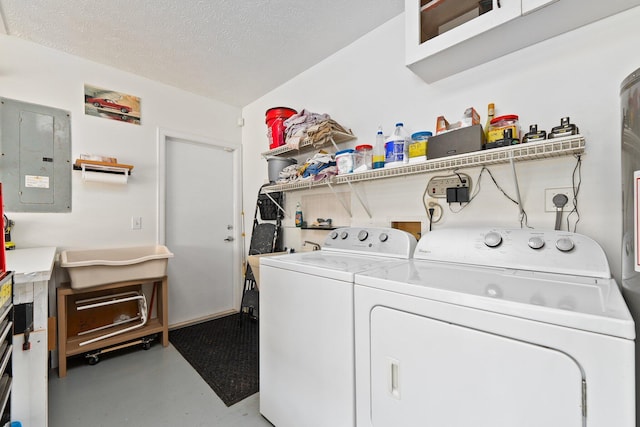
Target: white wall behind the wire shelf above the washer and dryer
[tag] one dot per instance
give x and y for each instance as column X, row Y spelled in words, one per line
column 366, row 84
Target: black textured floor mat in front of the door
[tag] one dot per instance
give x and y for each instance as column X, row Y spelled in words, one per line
column 224, row 352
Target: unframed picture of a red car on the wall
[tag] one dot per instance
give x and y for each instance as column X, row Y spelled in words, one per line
column 110, row 104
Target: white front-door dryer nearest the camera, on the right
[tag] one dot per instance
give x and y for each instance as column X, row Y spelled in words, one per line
column 494, row 328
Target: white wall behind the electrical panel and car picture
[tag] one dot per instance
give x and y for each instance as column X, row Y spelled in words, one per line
column 101, row 213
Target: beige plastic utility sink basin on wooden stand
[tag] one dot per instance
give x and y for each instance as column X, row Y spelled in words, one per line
column 93, row 267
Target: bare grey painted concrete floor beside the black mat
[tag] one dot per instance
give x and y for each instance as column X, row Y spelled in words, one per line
column 142, row 388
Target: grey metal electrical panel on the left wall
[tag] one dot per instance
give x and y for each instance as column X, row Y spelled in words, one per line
column 35, row 162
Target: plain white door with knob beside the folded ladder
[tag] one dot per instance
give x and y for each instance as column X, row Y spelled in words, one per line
column 200, row 229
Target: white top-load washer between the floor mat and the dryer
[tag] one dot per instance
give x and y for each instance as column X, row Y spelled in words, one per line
column 307, row 374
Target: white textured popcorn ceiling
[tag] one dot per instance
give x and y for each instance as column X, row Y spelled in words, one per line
column 231, row 50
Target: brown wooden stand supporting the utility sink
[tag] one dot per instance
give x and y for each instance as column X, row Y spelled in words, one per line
column 69, row 344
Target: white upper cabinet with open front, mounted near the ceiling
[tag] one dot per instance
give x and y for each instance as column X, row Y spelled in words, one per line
column 444, row 37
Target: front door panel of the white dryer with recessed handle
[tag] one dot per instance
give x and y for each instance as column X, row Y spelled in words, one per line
column 426, row 372
